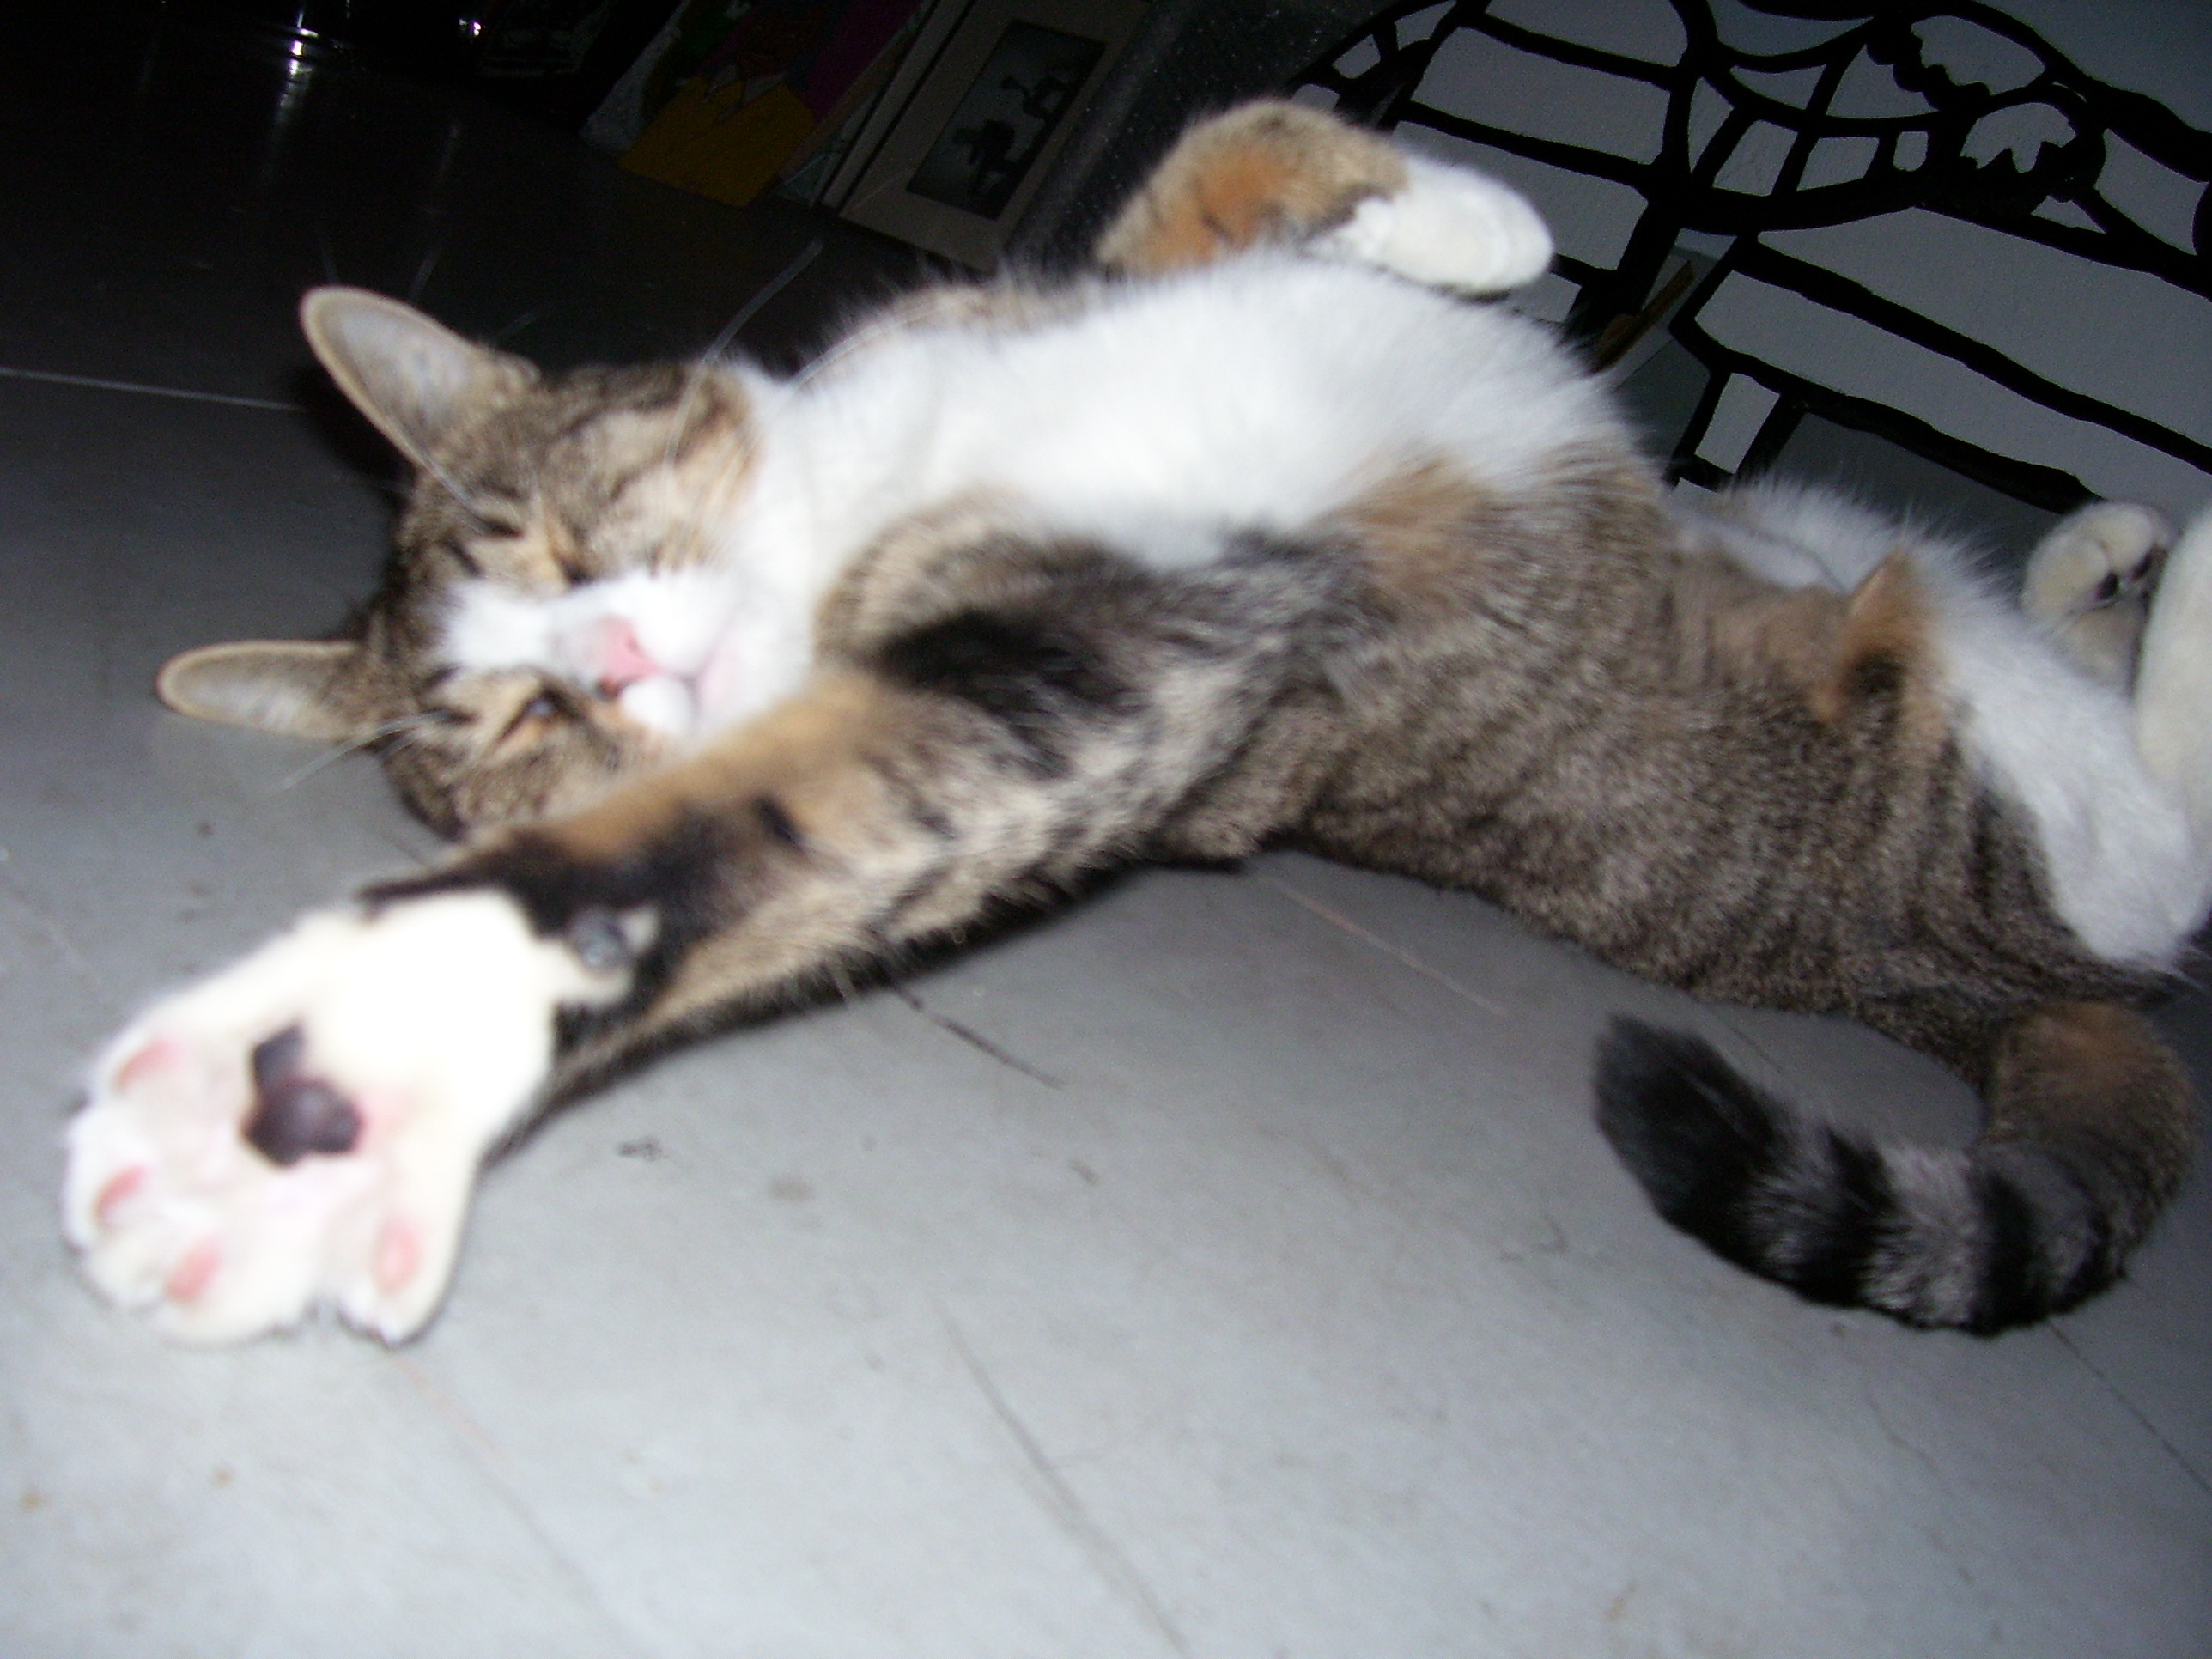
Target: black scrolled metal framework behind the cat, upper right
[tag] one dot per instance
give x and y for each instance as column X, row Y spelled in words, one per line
column 1751, row 147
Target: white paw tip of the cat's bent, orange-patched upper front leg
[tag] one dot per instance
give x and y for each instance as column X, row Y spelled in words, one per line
column 1450, row 229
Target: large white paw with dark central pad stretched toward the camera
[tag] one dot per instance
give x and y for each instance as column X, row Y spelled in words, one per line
column 306, row 1129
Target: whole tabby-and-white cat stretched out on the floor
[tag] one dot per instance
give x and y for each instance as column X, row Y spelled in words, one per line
column 735, row 682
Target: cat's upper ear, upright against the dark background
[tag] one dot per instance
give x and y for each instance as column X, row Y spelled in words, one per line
column 413, row 377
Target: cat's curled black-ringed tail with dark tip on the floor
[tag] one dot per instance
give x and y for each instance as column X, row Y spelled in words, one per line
column 2089, row 1136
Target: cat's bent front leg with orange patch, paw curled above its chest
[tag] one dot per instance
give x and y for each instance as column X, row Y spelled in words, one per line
column 1288, row 176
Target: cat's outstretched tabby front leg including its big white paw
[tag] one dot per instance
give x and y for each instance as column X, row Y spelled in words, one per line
column 304, row 1131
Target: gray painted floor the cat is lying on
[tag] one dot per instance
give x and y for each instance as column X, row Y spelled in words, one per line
column 1222, row 1269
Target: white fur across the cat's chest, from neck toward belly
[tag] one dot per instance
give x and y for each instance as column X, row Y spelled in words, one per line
column 1246, row 397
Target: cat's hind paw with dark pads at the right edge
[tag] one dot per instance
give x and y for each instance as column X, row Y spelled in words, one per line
column 2089, row 585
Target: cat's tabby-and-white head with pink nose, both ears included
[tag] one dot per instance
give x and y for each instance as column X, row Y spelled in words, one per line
column 556, row 601
